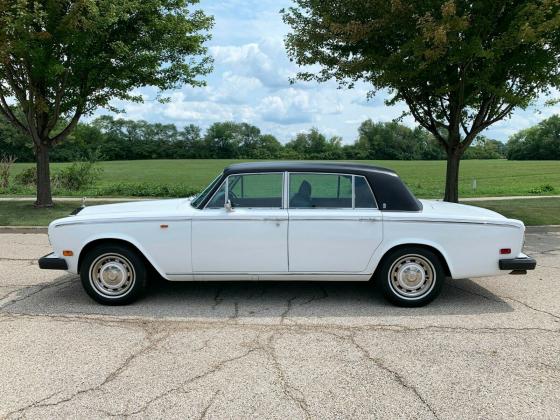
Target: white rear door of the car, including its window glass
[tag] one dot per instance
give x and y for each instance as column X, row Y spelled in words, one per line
column 334, row 223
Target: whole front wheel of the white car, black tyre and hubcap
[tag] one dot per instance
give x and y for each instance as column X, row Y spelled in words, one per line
column 113, row 274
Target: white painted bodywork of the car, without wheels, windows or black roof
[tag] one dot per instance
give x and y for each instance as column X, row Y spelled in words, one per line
column 184, row 243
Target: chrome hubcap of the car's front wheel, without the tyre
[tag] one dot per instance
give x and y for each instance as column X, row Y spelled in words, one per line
column 112, row 275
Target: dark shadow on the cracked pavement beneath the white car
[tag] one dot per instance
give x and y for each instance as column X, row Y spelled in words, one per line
column 227, row 300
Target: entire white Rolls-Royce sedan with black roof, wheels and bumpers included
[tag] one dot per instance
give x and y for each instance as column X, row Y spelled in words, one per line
column 288, row 221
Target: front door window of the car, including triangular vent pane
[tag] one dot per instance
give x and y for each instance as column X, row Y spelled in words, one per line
column 250, row 191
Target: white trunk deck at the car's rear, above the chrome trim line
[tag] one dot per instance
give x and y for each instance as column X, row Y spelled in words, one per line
column 442, row 210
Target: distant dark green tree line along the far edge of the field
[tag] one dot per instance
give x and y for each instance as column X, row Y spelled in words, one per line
column 119, row 139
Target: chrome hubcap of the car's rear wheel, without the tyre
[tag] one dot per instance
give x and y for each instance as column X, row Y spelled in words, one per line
column 412, row 276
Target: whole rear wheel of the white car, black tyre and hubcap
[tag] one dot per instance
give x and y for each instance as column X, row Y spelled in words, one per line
column 411, row 276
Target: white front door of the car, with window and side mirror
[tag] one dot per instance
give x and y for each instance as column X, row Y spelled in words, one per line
column 250, row 237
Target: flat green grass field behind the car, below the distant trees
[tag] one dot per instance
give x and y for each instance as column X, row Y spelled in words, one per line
column 424, row 178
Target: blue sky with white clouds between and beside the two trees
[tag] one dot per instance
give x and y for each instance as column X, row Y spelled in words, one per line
column 250, row 83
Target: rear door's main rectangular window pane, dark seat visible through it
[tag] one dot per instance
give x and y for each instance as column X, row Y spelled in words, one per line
column 308, row 190
